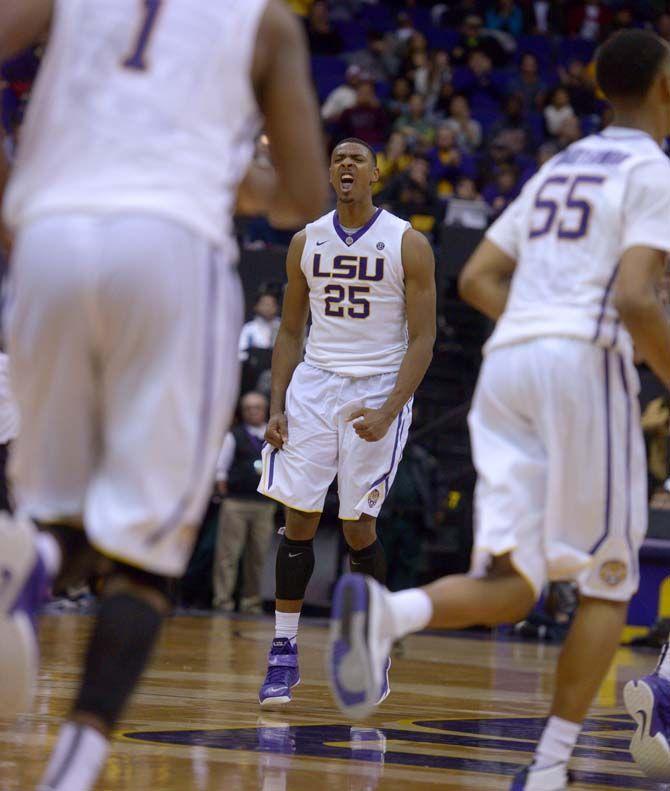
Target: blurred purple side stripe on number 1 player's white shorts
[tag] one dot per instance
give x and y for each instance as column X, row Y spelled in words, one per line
column 176, row 518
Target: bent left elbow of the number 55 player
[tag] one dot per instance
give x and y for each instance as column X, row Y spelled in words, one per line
column 485, row 280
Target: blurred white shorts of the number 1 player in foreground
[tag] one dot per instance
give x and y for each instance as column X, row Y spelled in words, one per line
column 122, row 333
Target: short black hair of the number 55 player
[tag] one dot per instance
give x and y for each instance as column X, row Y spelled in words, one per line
column 628, row 62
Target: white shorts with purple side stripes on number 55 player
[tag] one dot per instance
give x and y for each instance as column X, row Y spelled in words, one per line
column 557, row 443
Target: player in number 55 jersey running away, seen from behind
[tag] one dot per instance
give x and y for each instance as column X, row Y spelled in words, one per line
column 569, row 271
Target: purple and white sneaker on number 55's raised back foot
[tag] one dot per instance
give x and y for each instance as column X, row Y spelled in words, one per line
column 359, row 648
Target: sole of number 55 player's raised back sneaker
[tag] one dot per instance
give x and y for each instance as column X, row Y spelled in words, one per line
column 352, row 677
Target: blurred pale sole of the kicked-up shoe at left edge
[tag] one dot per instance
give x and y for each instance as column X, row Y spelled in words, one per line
column 18, row 643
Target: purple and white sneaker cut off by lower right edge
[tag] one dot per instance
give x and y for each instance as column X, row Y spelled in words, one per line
column 648, row 703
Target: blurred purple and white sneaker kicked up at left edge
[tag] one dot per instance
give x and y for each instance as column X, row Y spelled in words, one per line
column 23, row 586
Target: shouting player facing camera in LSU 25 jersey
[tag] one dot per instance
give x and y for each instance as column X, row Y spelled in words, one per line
column 368, row 279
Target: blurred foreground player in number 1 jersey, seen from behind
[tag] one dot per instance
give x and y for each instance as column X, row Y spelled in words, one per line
column 125, row 308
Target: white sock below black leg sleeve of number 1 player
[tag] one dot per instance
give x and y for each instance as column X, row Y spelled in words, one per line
column 77, row 759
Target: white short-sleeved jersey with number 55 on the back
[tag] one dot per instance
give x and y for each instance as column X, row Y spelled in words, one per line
column 568, row 230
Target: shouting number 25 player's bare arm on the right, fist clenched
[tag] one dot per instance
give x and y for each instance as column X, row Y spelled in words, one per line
column 418, row 264
